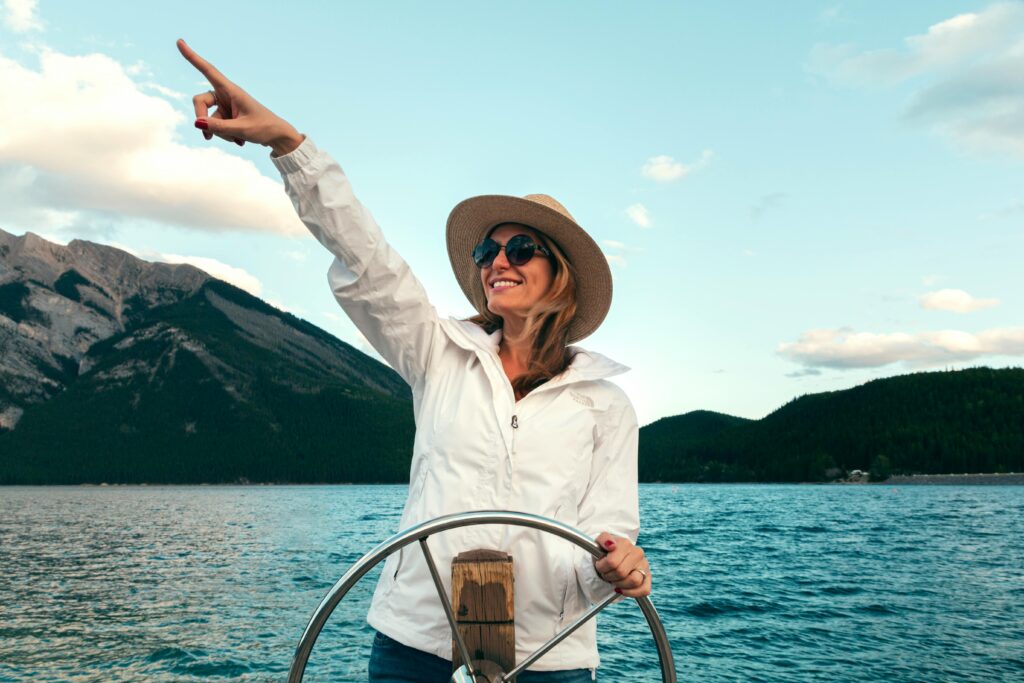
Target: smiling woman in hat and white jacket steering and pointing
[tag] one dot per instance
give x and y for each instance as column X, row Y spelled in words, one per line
column 508, row 415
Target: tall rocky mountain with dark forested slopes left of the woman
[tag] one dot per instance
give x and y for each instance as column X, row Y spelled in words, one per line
column 116, row 370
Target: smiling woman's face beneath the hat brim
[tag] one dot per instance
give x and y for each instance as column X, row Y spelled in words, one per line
column 514, row 290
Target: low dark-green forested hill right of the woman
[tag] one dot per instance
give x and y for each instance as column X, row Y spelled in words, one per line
column 960, row 421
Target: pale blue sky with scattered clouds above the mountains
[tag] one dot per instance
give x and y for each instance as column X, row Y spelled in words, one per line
column 794, row 197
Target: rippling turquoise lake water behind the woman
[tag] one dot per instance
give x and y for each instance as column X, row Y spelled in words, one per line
column 769, row 583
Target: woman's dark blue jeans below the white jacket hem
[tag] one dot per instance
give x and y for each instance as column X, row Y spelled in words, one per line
column 391, row 662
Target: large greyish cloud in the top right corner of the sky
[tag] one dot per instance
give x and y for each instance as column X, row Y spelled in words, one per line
column 968, row 75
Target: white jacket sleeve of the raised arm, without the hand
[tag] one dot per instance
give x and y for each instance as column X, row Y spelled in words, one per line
column 373, row 284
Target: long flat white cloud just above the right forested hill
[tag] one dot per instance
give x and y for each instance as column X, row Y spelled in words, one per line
column 846, row 350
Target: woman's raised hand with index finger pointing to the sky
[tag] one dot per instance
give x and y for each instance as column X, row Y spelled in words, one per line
column 238, row 116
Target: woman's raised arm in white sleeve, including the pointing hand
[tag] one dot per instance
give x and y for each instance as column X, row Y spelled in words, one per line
column 369, row 279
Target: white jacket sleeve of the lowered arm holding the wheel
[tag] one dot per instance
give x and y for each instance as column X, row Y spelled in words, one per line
column 612, row 499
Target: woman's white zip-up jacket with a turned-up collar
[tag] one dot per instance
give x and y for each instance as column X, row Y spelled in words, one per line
column 567, row 451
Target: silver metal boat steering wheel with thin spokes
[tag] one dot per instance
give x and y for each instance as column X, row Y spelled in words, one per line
column 421, row 533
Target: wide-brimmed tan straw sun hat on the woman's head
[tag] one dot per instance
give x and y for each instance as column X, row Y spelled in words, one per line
column 472, row 220
